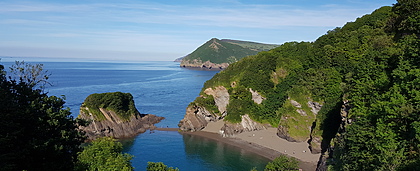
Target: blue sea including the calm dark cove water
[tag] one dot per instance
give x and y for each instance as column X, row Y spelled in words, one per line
column 159, row 88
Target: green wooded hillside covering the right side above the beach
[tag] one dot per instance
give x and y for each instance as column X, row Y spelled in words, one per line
column 372, row 65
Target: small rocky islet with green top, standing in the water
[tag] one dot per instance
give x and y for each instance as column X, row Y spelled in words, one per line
column 114, row 115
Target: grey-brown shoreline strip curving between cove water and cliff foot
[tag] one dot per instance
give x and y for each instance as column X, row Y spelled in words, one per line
column 255, row 147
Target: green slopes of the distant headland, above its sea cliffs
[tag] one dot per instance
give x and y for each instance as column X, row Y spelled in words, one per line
column 227, row 51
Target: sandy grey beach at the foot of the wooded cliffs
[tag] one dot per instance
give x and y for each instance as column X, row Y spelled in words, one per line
column 261, row 143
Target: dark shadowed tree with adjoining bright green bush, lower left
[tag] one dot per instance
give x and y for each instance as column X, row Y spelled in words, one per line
column 38, row 133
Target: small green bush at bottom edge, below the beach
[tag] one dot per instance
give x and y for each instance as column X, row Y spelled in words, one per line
column 282, row 163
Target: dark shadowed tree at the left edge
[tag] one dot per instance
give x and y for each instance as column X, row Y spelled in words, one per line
column 37, row 132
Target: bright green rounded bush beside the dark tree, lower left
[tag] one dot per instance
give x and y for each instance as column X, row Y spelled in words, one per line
column 104, row 154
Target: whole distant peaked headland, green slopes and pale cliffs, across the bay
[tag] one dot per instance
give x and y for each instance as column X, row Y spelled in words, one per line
column 223, row 51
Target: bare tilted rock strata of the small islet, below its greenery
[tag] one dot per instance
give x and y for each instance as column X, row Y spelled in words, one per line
column 114, row 126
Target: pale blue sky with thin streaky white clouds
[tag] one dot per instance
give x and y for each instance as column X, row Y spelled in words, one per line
column 162, row 30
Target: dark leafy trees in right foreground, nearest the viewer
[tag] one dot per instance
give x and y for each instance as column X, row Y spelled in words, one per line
column 385, row 95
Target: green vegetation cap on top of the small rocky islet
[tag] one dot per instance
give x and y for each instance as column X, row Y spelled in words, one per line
column 121, row 103
